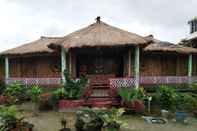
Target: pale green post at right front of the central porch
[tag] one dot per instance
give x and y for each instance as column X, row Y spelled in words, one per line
column 137, row 66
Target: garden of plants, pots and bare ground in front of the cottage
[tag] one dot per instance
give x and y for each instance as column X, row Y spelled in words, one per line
column 35, row 108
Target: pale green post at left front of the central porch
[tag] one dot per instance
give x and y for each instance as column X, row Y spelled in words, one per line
column 63, row 63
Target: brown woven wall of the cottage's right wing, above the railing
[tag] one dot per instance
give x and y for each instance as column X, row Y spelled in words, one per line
column 163, row 65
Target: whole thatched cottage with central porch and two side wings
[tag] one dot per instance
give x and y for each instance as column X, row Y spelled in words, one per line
column 108, row 56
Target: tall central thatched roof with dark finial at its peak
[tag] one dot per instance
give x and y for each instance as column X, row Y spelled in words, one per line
column 99, row 34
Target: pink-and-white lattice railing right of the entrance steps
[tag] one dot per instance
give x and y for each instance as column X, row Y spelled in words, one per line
column 128, row 82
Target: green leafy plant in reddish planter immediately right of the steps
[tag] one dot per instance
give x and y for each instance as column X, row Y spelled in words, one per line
column 132, row 98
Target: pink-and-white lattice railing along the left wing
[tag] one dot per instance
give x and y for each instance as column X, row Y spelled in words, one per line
column 34, row 81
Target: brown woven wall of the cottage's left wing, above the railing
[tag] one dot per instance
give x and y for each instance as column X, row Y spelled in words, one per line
column 38, row 66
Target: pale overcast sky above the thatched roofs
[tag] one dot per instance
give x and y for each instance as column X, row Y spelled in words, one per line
column 22, row 21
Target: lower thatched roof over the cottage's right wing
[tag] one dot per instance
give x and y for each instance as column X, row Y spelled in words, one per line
column 163, row 46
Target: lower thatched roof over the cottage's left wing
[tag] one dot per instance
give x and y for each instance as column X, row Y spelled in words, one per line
column 37, row 46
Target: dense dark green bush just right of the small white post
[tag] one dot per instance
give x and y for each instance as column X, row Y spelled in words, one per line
column 166, row 97
